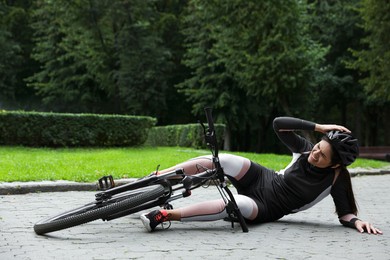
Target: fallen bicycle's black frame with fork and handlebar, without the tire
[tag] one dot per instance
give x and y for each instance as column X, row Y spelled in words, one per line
column 186, row 183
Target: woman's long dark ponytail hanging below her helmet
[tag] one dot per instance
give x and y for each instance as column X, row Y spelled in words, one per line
column 344, row 176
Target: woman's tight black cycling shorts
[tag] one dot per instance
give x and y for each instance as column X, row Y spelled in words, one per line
column 257, row 184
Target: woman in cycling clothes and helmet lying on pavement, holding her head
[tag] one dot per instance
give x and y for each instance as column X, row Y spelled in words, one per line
column 265, row 195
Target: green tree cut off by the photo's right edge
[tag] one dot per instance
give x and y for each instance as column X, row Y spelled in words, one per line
column 372, row 61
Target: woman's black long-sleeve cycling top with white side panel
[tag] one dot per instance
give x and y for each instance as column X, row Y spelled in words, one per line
column 301, row 185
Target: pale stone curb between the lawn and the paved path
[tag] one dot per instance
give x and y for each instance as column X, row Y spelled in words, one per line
column 14, row 188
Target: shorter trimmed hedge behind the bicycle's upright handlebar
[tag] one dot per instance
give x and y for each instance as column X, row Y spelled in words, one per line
column 190, row 135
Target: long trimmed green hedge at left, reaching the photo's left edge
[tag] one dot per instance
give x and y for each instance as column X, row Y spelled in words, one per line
column 69, row 130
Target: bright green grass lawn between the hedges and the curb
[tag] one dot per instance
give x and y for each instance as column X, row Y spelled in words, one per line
column 89, row 164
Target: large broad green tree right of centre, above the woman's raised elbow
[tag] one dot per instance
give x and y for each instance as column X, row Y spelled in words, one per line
column 250, row 60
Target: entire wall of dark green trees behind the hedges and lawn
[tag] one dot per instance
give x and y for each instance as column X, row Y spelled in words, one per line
column 250, row 60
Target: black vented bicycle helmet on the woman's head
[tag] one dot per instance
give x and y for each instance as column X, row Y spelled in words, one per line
column 345, row 145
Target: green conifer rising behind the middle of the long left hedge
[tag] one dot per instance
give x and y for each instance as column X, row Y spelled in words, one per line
column 62, row 81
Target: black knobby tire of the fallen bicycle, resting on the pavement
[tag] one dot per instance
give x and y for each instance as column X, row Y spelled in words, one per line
column 74, row 217
